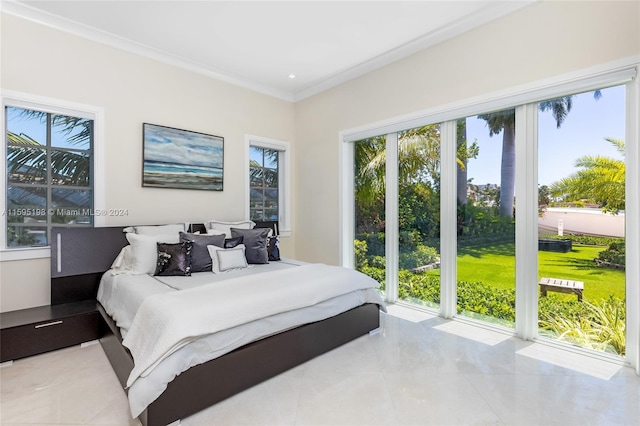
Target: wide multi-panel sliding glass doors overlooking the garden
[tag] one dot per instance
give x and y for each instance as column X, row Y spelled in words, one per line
column 515, row 217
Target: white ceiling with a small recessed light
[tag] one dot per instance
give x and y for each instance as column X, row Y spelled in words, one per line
column 259, row 44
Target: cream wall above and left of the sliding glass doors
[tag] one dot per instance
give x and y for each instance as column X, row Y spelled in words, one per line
column 541, row 41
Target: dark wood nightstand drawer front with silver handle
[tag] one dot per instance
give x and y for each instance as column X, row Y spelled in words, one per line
column 44, row 336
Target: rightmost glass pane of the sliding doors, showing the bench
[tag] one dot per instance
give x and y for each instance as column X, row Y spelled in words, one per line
column 581, row 226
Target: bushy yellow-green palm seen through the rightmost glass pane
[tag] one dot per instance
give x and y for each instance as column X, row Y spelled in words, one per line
column 601, row 179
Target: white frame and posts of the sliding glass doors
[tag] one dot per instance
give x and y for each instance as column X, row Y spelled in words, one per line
column 524, row 99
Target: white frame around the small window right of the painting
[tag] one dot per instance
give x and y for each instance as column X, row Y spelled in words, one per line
column 284, row 178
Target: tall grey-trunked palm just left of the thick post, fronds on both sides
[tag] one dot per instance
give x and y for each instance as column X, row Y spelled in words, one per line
column 504, row 121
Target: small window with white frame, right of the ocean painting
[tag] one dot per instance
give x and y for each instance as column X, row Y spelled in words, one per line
column 268, row 190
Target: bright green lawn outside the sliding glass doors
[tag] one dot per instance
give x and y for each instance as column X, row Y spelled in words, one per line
column 495, row 265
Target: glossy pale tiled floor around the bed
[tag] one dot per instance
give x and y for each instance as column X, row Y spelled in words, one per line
column 418, row 370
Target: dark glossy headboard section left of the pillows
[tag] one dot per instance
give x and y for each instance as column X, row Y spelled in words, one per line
column 79, row 257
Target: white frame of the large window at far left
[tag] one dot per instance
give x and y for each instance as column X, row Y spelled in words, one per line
column 56, row 106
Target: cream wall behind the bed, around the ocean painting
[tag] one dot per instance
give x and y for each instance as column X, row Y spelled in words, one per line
column 41, row 61
